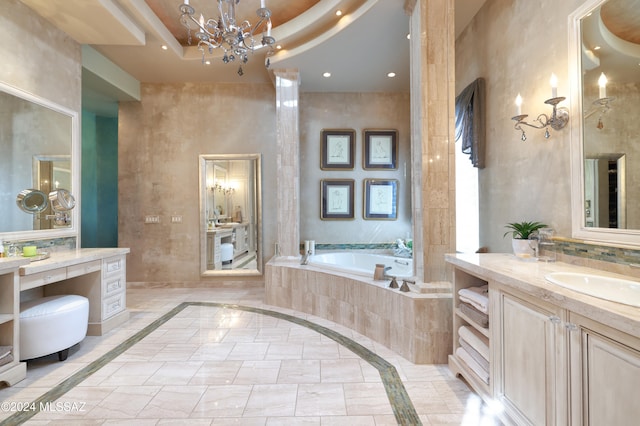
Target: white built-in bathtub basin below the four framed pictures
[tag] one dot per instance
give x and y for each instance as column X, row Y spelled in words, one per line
column 363, row 263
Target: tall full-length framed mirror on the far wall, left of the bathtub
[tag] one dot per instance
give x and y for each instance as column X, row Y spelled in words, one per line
column 230, row 215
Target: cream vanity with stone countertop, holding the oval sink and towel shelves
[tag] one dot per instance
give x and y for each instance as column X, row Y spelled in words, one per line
column 556, row 356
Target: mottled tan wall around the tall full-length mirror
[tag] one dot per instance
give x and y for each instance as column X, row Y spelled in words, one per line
column 160, row 139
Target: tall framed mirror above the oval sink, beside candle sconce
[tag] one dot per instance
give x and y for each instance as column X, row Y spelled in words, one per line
column 605, row 157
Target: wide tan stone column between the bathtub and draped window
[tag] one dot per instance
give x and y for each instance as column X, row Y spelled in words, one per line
column 432, row 139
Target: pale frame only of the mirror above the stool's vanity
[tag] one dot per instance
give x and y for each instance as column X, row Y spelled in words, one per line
column 74, row 229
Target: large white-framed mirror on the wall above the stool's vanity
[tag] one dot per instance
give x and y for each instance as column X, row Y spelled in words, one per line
column 39, row 145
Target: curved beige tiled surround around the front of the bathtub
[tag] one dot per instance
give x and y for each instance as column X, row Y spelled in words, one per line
column 416, row 324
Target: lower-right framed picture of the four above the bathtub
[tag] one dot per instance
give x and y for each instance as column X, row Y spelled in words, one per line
column 381, row 199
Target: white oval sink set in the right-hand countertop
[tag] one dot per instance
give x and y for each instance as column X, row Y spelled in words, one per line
column 613, row 289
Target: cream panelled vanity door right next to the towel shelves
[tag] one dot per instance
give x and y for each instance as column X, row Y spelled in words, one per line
column 528, row 357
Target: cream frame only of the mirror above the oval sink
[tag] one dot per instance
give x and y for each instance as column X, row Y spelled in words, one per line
column 627, row 237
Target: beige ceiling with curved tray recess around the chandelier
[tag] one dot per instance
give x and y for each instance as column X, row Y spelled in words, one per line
column 358, row 48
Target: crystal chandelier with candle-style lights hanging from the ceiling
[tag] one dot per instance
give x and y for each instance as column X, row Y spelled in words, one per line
column 235, row 39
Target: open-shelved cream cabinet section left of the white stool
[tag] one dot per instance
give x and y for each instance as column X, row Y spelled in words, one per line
column 12, row 371
